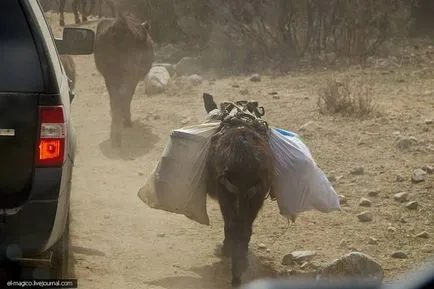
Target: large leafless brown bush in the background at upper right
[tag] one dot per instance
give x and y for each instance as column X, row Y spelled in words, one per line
column 276, row 31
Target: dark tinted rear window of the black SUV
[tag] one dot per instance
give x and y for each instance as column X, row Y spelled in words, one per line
column 20, row 68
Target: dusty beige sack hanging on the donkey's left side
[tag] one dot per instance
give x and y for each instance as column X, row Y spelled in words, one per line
column 178, row 183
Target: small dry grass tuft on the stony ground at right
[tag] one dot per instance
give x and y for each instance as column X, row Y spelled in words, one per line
column 348, row 98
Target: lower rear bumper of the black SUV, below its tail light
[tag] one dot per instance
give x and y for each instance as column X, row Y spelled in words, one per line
column 40, row 222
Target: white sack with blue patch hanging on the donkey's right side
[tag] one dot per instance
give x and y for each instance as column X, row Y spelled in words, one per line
column 299, row 184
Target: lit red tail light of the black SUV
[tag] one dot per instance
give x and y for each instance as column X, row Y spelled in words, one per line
column 52, row 136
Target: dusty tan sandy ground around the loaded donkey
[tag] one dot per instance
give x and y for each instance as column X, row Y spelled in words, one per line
column 118, row 242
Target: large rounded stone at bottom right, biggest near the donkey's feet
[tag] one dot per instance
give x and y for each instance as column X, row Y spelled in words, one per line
column 353, row 265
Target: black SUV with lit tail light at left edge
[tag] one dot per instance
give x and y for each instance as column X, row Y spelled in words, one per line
column 37, row 141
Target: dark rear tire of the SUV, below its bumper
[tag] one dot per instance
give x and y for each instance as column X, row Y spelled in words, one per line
column 60, row 258
